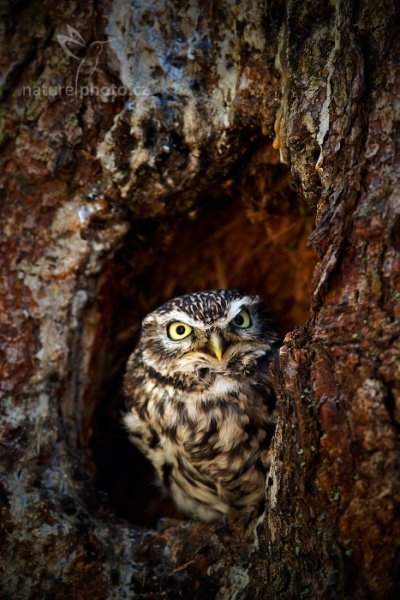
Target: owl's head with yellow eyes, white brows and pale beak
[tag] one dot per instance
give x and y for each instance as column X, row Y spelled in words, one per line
column 216, row 331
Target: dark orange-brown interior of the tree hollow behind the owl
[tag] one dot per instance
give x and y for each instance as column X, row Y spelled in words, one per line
column 251, row 234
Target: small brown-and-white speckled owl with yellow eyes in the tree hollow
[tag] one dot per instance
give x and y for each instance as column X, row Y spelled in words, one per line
column 200, row 405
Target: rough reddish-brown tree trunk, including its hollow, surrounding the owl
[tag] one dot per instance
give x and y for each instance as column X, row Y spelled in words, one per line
column 102, row 198
